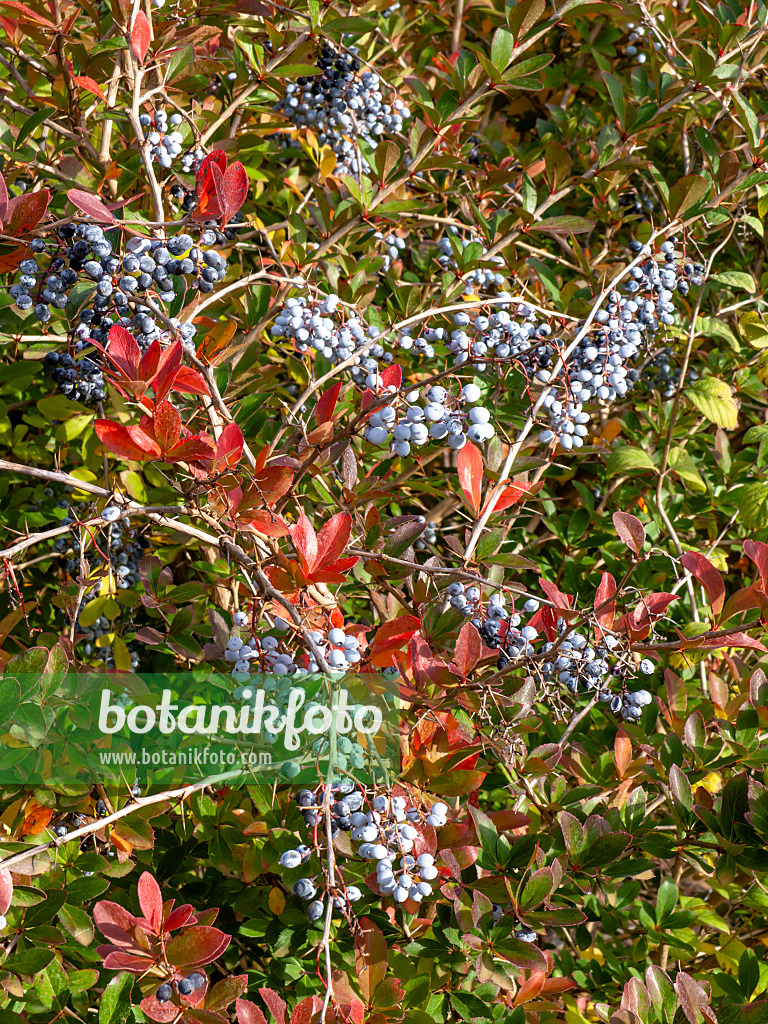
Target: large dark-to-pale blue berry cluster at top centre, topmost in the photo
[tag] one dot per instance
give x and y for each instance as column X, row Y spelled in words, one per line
column 342, row 106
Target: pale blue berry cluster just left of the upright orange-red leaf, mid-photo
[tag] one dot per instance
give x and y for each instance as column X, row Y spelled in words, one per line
column 443, row 419
